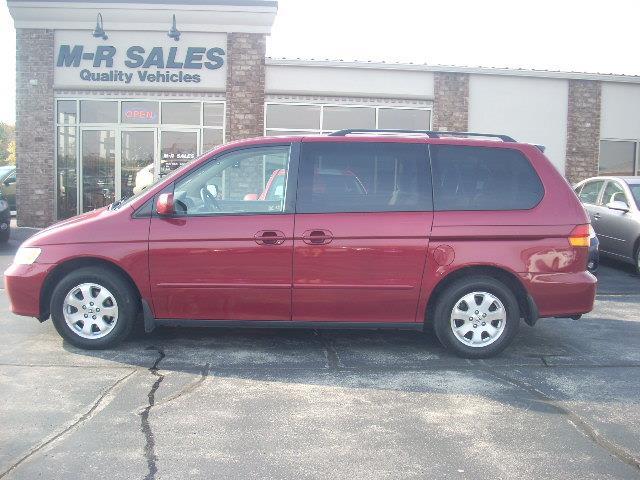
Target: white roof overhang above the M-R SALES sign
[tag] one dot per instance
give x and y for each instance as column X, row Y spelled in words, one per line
column 252, row 16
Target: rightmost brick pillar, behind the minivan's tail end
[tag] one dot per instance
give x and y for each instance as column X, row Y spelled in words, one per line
column 583, row 129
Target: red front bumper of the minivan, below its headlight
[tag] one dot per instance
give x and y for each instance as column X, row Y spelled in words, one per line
column 24, row 284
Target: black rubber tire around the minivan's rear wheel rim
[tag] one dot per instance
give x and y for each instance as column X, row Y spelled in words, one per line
column 452, row 296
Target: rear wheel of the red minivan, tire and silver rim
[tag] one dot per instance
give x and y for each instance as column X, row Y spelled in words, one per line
column 476, row 317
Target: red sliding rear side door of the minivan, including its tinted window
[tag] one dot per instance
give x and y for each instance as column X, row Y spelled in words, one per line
column 362, row 228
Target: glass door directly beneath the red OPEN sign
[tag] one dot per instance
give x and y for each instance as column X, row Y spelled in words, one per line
column 137, row 160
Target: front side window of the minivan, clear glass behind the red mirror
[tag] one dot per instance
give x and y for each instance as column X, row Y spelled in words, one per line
column 247, row 181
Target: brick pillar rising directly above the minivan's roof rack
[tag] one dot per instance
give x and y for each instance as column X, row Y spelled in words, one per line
column 451, row 101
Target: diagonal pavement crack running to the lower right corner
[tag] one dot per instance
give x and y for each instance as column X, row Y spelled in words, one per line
column 581, row 425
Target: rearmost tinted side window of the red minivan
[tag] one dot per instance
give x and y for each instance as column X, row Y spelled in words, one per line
column 483, row 178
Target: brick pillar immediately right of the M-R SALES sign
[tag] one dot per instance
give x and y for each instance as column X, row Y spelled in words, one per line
column 245, row 85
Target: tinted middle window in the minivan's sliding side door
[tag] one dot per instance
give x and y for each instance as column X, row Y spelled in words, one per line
column 363, row 177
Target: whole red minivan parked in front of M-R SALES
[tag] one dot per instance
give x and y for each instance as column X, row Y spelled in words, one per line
column 453, row 233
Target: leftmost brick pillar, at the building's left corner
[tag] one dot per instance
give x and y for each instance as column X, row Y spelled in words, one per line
column 35, row 142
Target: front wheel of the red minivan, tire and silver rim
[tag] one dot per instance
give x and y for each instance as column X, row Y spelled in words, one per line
column 93, row 308
